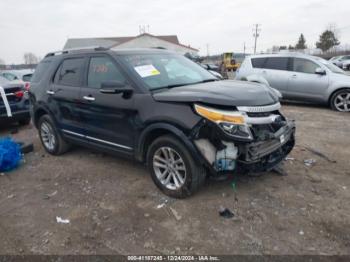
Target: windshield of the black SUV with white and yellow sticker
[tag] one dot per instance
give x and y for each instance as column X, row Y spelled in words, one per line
column 166, row 70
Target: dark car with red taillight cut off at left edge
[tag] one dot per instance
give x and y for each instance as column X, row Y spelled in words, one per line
column 17, row 98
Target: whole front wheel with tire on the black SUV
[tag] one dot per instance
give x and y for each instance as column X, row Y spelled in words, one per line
column 173, row 169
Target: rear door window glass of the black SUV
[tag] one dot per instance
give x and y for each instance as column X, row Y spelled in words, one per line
column 70, row 72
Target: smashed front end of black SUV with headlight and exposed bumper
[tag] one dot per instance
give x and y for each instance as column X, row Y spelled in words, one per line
column 249, row 139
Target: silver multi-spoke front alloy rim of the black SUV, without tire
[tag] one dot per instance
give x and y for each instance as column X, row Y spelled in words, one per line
column 169, row 168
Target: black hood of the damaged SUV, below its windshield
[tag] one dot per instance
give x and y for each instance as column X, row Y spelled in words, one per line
column 225, row 93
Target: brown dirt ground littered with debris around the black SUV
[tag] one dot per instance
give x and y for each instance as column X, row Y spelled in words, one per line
column 112, row 203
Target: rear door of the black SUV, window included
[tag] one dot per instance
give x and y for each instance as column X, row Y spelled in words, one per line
column 64, row 96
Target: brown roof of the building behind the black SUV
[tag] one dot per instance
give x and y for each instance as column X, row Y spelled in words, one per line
column 115, row 41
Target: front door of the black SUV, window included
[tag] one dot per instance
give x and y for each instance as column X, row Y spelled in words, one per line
column 108, row 118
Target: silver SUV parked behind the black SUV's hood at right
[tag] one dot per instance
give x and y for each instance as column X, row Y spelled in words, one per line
column 301, row 77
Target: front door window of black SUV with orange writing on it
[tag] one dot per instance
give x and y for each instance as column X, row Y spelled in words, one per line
column 102, row 69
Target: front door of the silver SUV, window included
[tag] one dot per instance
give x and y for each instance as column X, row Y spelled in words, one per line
column 304, row 83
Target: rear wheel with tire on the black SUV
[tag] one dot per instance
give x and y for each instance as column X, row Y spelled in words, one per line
column 50, row 138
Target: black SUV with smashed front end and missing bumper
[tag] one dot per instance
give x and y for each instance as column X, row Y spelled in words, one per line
column 160, row 108
